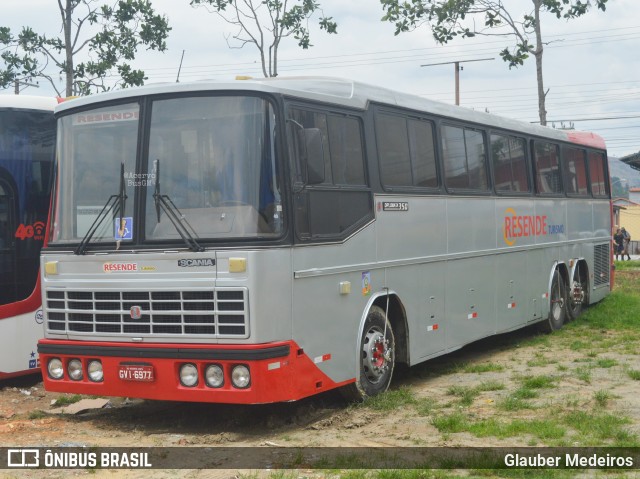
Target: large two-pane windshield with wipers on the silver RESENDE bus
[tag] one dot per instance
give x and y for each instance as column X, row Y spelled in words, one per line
column 208, row 172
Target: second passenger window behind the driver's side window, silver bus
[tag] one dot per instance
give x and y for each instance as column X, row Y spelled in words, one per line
column 464, row 158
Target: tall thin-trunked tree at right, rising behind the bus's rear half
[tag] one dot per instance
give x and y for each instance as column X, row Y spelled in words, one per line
column 449, row 19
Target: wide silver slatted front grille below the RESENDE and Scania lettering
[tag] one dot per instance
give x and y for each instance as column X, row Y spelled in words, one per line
column 219, row 313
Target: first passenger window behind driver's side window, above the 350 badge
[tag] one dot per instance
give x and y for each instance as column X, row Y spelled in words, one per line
column 406, row 151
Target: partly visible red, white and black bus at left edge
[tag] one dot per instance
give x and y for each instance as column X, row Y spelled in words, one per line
column 27, row 142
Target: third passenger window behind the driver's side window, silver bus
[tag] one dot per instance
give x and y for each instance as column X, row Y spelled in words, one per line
column 509, row 163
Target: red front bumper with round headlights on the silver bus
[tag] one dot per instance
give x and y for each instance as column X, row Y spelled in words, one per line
column 279, row 371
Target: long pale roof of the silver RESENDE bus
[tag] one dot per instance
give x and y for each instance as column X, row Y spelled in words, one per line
column 345, row 93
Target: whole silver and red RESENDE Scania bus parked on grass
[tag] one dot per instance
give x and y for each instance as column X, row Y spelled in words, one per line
column 261, row 241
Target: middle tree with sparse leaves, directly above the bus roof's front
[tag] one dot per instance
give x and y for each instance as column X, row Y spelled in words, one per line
column 265, row 23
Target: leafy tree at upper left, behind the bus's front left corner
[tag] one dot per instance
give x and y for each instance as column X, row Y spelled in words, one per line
column 106, row 37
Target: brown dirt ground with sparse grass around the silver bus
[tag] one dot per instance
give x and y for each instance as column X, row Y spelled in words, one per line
column 328, row 420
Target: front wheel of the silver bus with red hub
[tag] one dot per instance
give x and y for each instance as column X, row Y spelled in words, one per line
column 376, row 357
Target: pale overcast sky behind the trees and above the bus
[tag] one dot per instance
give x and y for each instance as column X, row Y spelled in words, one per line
column 591, row 67
